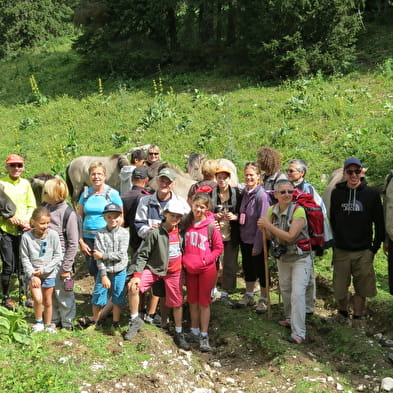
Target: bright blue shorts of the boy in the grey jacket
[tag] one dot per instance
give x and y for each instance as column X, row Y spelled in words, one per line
column 100, row 294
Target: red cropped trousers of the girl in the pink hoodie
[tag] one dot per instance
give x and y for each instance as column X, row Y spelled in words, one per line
column 199, row 286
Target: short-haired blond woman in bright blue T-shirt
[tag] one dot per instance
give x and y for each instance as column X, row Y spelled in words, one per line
column 90, row 207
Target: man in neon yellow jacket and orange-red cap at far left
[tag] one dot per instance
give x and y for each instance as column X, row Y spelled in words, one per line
column 21, row 194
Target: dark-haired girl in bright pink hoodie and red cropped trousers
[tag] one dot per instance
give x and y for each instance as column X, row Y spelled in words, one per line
column 199, row 260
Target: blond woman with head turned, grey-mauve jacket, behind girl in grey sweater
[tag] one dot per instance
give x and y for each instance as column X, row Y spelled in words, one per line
column 55, row 192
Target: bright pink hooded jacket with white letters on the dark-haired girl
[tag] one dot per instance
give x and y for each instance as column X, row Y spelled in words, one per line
column 199, row 255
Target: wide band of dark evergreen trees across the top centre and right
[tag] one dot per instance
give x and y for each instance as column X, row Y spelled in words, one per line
column 275, row 38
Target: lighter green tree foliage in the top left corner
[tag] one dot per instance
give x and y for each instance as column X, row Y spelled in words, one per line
column 25, row 23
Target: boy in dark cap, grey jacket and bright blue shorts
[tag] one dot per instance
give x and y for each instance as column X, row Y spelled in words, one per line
column 110, row 252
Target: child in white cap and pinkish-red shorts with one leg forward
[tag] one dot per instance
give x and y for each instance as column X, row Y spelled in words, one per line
column 159, row 257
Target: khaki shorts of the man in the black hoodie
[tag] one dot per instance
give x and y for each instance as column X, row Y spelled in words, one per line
column 357, row 265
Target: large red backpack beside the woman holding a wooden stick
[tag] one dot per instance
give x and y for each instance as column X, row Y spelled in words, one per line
column 315, row 219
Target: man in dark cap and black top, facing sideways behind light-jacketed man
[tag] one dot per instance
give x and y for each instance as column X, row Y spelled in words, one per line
column 131, row 200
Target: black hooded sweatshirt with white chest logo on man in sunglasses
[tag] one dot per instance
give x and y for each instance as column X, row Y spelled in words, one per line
column 353, row 212
